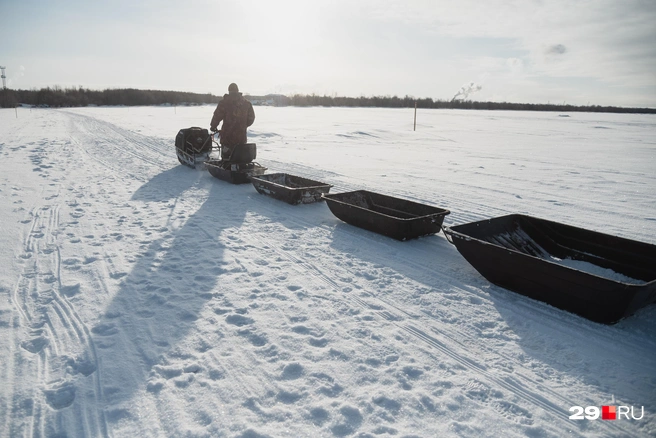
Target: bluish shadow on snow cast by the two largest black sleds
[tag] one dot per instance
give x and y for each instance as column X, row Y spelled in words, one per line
column 458, row 299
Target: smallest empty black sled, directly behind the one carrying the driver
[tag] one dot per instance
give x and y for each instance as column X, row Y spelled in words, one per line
column 289, row 188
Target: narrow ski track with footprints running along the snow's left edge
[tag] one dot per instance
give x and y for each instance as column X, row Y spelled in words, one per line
column 55, row 334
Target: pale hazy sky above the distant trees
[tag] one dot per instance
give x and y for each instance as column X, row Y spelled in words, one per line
column 600, row 52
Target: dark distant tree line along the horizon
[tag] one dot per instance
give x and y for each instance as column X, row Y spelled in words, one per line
column 70, row 97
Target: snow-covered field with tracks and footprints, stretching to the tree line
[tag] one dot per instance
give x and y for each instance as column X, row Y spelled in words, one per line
column 139, row 297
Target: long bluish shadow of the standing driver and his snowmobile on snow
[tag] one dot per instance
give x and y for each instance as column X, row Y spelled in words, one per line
column 160, row 300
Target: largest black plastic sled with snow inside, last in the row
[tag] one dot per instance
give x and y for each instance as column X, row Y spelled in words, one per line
column 597, row 276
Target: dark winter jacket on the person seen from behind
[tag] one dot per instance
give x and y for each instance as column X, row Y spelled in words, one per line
column 237, row 114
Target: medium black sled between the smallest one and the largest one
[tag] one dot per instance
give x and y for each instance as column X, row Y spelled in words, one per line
column 393, row 217
